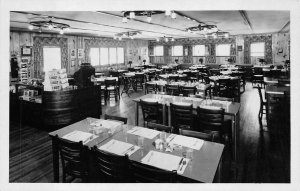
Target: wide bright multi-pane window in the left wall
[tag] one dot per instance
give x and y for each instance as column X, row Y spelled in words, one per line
column 105, row 56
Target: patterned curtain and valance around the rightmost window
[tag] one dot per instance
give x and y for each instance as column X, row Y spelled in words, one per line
column 268, row 47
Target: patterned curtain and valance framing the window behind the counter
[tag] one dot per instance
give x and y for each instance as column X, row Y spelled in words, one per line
column 38, row 59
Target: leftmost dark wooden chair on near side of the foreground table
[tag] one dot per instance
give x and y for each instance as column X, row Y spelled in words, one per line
column 73, row 160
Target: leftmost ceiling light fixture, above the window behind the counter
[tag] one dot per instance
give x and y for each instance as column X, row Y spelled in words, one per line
column 50, row 25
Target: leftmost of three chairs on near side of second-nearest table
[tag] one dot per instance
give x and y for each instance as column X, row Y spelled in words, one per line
column 152, row 111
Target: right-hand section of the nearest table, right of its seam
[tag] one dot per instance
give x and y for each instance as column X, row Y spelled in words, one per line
column 203, row 165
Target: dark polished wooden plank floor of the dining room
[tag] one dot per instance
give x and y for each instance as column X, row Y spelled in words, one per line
column 263, row 155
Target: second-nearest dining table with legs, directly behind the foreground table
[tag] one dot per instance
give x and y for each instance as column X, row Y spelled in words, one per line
column 231, row 109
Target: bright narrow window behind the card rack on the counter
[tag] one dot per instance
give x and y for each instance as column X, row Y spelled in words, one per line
column 52, row 58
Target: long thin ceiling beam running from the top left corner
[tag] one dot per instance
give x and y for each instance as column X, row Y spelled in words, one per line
column 86, row 22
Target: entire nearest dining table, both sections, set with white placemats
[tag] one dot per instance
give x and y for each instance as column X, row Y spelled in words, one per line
column 195, row 160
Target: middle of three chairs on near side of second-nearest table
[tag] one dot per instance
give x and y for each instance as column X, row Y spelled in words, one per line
column 181, row 116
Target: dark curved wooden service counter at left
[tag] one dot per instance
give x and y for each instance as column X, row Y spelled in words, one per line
column 57, row 108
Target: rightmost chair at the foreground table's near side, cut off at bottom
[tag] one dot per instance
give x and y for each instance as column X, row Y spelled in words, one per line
column 143, row 173
